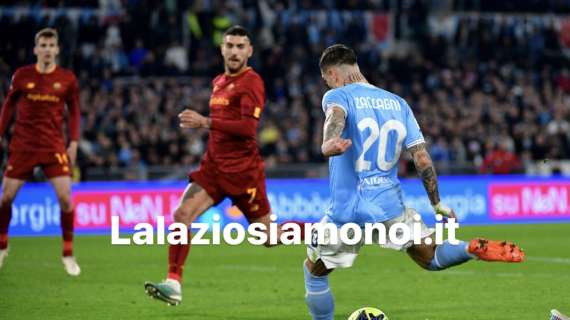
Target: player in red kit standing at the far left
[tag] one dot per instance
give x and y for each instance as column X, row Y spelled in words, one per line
column 38, row 94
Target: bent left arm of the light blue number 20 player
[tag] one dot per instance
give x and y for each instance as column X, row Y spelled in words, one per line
column 333, row 144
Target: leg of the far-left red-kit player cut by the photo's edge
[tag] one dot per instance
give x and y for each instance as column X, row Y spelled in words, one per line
column 10, row 188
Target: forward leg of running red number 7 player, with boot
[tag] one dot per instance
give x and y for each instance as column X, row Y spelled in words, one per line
column 194, row 202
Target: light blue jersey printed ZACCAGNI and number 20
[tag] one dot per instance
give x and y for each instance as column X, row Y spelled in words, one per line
column 364, row 181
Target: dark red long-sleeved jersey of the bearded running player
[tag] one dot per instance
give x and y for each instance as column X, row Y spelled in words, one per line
column 236, row 104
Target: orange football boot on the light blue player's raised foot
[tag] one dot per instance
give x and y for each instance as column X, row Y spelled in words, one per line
column 491, row 250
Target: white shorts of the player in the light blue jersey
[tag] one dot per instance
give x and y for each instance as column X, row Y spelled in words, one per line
column 340, row 255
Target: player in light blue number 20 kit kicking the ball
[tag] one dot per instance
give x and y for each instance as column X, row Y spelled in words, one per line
column 365, row 131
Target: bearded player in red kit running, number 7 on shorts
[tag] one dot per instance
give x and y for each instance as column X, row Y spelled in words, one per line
column 232, row 166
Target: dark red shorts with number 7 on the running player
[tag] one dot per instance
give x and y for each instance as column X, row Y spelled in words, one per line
column 246, row 189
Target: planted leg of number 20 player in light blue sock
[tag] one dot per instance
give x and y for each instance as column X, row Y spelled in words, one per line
column 318, row 295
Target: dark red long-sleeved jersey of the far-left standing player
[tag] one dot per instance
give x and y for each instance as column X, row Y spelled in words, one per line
column 39, row 100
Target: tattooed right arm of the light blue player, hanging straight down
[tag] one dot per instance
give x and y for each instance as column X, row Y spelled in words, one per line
column 426, row 171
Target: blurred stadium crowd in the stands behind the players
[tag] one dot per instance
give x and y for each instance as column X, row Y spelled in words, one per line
column 491, row 93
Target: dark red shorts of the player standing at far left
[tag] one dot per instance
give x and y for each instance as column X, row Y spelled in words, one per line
column 21, row 164
